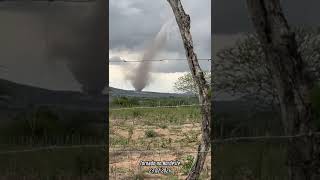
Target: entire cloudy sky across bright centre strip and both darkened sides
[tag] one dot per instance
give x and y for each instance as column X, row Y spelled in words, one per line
column 73, row 55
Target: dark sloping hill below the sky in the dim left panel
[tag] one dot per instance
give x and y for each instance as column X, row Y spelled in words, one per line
column 18, row 95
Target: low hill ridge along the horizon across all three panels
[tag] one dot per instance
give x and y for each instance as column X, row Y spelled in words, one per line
column 19, row 95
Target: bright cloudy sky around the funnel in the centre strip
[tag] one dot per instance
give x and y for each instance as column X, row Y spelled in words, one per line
column 134, row 23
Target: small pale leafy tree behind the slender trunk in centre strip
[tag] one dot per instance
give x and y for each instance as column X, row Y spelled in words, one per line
column 187, row 84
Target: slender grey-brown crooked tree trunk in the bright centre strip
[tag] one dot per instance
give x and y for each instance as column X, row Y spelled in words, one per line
column 183, row 21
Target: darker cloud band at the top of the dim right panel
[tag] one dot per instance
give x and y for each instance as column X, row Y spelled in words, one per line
column 231, row 16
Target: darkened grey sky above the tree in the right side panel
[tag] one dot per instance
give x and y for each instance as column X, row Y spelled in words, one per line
column 231, row 21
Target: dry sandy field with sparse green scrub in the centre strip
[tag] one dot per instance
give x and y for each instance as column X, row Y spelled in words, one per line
column 159, row 134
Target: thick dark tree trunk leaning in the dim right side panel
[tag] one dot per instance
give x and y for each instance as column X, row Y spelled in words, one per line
column 291, row 81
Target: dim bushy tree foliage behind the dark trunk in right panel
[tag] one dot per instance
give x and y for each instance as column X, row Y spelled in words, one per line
column 242, row 69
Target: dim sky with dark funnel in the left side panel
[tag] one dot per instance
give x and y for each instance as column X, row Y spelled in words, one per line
column 41, row 42
